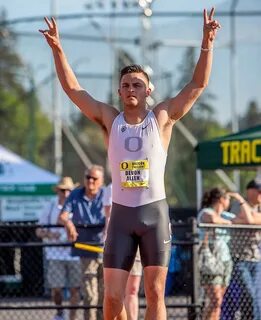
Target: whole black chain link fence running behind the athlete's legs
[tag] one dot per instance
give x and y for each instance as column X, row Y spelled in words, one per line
column 214, row 271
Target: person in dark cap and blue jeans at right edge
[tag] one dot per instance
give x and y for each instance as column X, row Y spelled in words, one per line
column 241, row 296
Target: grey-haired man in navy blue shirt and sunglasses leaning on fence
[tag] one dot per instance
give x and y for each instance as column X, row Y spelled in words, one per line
column 84, row 206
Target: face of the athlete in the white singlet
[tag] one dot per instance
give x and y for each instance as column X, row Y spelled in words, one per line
column 134, row 89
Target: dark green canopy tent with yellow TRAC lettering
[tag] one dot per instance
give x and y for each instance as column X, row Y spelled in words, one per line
column 234, row 151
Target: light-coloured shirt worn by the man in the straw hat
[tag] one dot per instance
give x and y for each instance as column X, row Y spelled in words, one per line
column 50, row 216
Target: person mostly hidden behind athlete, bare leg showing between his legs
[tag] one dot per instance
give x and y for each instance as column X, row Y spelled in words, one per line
column 131, row 299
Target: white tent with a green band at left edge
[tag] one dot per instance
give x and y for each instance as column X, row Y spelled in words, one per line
column 24, row 188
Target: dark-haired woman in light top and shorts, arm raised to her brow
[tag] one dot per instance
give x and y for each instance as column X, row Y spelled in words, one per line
column 215, row 258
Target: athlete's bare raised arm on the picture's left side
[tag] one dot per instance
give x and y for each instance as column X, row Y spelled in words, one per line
column 96, row 111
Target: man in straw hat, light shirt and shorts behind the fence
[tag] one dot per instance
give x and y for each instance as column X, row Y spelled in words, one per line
column 63, row 270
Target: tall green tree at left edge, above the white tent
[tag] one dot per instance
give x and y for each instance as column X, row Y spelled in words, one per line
column 24, row 128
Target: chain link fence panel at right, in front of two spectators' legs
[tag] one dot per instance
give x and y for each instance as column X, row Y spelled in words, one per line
column 229, row 268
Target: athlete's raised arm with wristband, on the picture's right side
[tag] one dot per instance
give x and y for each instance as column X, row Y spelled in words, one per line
column 177, row 107
